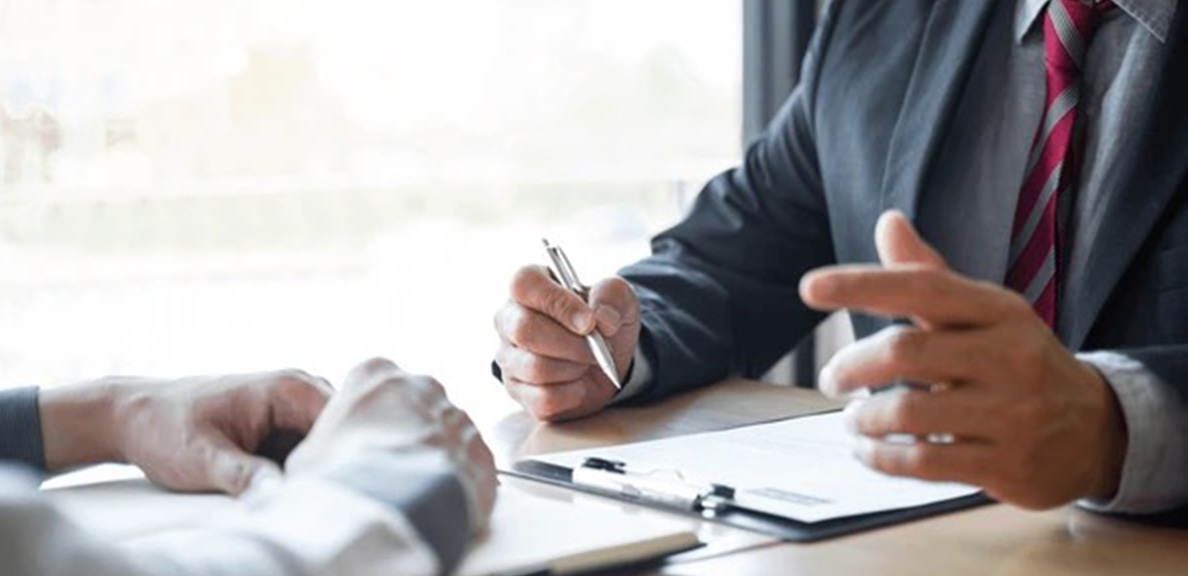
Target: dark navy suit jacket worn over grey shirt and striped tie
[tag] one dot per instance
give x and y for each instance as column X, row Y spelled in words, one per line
column 858, row 137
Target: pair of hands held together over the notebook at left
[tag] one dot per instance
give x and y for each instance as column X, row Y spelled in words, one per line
column 204, row 433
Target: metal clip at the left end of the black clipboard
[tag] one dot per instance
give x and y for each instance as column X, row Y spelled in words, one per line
column 663, row 489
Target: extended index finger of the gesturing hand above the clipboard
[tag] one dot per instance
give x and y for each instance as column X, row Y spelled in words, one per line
column 933, row 295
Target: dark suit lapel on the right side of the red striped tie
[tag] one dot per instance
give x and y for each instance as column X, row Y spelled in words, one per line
column 1147, row 180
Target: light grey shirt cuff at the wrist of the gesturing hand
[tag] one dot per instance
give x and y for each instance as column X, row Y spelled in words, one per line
column 1157, row 460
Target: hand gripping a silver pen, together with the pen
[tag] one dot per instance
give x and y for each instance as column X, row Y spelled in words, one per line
column 565, row 349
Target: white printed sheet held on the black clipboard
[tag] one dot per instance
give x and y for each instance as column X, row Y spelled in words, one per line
column 802, row 469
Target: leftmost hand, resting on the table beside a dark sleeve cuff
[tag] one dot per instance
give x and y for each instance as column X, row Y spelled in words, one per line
column 195, row 434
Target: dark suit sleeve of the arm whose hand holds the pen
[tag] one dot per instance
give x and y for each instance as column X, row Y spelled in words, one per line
column 719, row 296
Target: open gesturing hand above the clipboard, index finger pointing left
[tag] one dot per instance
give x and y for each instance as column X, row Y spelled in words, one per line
column 1029, row 423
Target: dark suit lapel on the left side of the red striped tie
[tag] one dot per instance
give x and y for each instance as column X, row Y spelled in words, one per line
column 952, row 40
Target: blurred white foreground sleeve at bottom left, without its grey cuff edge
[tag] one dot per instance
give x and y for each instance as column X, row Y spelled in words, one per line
column 308, row 528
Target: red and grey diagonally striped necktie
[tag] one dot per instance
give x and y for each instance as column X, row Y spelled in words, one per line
column 1052, row 167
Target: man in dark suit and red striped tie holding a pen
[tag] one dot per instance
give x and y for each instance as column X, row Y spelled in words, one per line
column 1038, row 147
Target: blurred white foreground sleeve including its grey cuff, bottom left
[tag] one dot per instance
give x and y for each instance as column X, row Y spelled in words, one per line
column 311, row 527
